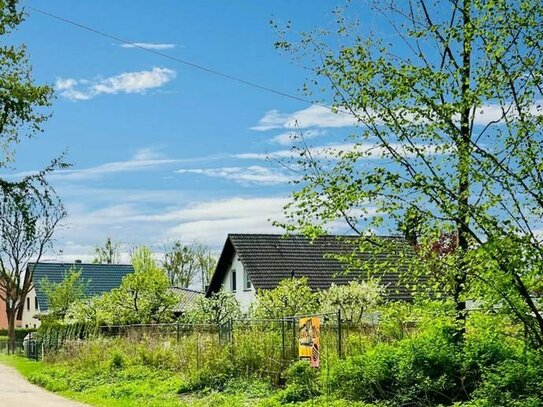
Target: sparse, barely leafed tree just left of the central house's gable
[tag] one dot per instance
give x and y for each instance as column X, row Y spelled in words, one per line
column 183, row 263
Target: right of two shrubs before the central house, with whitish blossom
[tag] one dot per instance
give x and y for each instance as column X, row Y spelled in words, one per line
column 355, row 300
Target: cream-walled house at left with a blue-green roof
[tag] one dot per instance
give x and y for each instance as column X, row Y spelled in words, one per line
column 99, row 278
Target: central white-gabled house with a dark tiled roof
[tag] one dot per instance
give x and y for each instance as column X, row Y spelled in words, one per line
column 251, row 262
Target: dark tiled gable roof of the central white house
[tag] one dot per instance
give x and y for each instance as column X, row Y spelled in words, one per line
column 268, row 259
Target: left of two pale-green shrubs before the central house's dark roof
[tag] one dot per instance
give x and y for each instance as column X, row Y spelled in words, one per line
column 290, row 297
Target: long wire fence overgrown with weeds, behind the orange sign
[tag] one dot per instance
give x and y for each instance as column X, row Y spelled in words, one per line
column 261, row 346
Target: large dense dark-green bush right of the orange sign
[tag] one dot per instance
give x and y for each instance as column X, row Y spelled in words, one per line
column 420, row 371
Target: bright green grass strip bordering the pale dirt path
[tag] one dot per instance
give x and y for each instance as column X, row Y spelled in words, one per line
column 127, row 386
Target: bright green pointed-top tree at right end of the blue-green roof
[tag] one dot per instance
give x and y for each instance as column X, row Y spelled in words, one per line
column 143, row 297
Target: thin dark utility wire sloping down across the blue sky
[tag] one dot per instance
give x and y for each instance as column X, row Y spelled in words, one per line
column 182, row 61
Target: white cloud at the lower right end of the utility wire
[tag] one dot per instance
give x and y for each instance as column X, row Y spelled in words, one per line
column 313, row 116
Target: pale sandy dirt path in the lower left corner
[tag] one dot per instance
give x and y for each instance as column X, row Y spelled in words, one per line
column 17, row 392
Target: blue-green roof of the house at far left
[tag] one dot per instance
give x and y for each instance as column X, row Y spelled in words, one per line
column 100, row 278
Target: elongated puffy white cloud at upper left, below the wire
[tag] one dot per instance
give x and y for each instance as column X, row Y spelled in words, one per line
column 128, row 82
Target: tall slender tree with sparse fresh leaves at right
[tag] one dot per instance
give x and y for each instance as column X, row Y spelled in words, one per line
column 449, row 120
